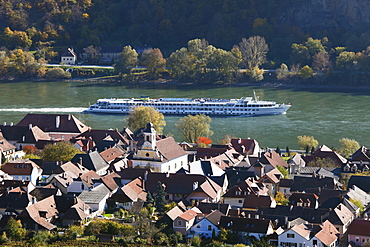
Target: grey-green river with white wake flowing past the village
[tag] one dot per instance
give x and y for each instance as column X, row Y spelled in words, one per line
column 326, row 114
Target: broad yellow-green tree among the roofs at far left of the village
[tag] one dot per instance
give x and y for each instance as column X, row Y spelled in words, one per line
column 61, row 151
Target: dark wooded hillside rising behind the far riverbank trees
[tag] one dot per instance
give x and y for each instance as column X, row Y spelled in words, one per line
column 168, row 25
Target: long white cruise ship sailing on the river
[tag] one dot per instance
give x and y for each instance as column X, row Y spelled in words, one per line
column 246, row 106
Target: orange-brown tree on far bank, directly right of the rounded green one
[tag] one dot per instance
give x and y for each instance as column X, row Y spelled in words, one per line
column 153, row 60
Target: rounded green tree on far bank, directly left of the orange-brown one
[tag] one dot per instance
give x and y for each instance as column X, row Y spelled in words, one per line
column 126, row 60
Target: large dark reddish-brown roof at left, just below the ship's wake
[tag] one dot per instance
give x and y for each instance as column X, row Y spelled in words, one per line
column 54, row 122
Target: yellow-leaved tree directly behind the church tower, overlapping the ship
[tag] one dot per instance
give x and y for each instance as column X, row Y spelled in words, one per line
column 142, row 115
